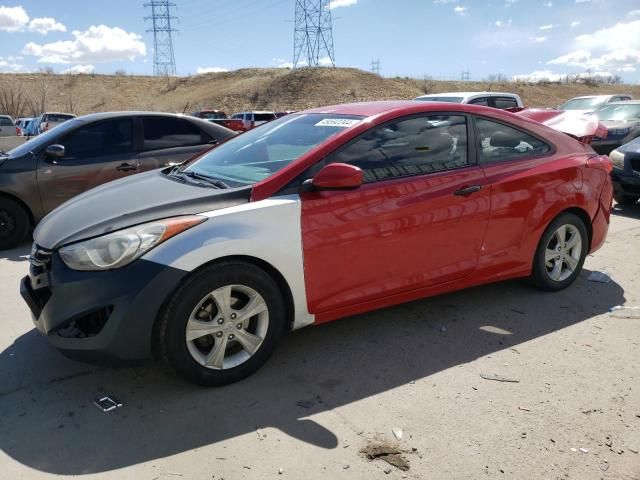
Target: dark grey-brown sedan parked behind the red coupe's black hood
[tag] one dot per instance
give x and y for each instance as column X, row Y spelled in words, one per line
column 85, row 152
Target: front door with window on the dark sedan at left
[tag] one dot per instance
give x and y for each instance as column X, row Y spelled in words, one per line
column 94, row 154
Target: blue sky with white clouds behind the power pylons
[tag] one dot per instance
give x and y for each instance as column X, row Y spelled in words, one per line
column 530, row 39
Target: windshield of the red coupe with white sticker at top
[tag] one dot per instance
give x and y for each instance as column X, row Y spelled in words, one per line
column 258, row 154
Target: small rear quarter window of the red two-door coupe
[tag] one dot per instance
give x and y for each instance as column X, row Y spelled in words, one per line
column 499, row 142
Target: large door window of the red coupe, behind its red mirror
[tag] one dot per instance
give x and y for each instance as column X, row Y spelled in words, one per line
column 414, row 146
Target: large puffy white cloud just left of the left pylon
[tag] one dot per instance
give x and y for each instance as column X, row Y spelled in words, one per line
column 95, row 45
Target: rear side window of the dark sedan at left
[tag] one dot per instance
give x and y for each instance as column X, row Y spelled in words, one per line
column 168, row 132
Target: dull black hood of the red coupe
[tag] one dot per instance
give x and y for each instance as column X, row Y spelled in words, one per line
column 130, row 201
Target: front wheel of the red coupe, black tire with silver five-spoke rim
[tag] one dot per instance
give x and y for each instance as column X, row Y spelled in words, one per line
column 193, row 329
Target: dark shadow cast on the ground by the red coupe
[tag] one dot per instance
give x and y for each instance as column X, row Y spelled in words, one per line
column 49, row 422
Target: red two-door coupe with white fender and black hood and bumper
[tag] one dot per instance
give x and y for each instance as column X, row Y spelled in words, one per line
column 313, row 217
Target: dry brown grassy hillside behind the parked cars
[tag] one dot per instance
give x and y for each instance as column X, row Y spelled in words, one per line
column 273, row 89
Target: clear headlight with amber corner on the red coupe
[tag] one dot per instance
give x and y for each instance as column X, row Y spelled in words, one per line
column 120, row 248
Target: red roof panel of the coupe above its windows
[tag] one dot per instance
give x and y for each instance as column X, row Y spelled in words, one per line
column 370, row 109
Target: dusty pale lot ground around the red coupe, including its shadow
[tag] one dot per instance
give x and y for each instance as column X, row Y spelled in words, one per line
column 331, row 391
